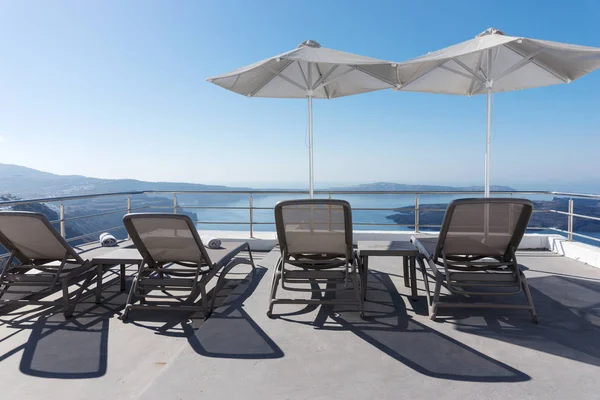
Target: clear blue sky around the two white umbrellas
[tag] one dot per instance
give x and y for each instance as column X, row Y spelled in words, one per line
column 117, row 89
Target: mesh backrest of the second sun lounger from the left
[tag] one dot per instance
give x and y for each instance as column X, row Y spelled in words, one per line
column 166, row 238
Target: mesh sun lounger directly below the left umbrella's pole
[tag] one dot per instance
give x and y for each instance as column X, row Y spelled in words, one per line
column 315, row 239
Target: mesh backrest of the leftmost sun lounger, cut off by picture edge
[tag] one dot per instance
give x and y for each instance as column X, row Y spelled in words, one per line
column 31, row 236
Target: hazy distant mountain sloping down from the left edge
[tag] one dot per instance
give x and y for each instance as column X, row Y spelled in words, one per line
column 27, row 183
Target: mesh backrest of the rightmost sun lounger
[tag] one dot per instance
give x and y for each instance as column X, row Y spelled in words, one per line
column 486, row 227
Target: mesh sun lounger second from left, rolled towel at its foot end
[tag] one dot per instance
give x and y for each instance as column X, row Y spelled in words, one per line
column 176, row 266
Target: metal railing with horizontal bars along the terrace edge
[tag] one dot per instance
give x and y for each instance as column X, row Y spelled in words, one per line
column 251, row 208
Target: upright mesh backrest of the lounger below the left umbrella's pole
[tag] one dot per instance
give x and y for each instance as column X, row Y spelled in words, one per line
column 317, row 226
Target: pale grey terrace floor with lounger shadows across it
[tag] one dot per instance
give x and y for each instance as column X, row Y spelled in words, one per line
column 316, row 353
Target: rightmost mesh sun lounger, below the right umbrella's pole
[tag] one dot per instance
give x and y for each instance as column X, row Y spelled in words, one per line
column 475, row 252
